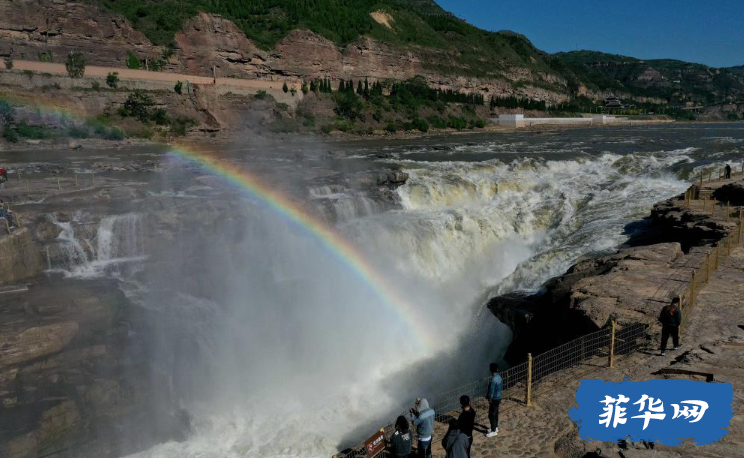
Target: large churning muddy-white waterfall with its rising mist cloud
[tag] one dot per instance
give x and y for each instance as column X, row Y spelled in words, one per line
column 296, row 351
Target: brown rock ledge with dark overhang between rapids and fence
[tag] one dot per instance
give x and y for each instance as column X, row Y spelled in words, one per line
column 629, row 285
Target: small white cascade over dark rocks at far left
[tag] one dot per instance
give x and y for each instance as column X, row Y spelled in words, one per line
column 118, row 241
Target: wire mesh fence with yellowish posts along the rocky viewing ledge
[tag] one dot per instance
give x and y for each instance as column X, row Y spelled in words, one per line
column 520, row 382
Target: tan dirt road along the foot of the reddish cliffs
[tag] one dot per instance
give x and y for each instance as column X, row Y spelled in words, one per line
column 93, row 71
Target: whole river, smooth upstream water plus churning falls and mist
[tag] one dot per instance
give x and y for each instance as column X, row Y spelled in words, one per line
column 276, row 345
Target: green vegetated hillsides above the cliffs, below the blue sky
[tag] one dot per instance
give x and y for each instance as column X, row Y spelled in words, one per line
column 469, row 51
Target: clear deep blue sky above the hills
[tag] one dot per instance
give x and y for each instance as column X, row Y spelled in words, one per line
column 705, row 31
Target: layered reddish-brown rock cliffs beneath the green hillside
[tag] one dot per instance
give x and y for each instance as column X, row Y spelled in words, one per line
column 29, row 28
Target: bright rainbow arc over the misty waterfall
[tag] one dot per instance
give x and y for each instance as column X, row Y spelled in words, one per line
column 330, row 239
